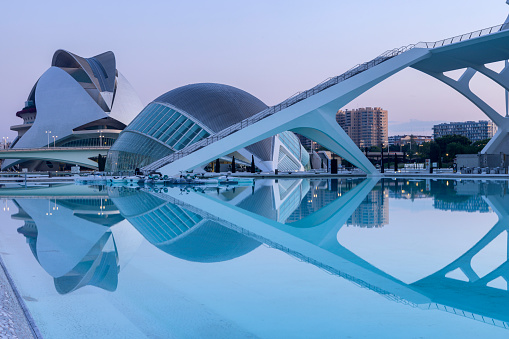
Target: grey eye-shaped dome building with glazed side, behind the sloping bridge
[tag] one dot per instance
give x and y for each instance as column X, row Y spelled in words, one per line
column 190, row 113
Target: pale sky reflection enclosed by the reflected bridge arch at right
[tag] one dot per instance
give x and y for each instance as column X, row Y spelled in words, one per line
column 419, row 240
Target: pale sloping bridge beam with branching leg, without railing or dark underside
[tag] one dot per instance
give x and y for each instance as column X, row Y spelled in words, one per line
column 313, row 117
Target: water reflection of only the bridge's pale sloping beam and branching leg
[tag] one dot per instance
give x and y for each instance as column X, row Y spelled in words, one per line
column 317, row 245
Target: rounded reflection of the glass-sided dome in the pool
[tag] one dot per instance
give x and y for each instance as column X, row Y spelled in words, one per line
column 180, row 232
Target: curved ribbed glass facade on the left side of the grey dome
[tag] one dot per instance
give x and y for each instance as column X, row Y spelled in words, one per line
column 156, row 132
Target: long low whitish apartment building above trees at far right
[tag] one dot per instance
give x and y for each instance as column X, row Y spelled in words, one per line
column 473, row 130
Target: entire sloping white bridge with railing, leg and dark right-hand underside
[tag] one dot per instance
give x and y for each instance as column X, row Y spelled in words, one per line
column 313, row 112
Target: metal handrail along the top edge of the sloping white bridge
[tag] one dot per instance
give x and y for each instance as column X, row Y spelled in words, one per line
column 299, row 96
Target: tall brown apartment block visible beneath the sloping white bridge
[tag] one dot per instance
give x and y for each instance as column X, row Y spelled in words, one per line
column 365, row 126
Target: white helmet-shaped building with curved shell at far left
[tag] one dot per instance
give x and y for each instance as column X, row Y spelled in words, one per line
column 77, row 102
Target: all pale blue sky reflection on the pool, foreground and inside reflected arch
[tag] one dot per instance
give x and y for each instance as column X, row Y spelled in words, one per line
column 264, row 293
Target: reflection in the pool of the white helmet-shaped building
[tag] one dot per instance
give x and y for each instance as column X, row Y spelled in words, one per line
column 79, row 241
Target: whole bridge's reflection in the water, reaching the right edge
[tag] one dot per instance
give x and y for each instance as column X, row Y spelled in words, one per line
column 471, row 300
